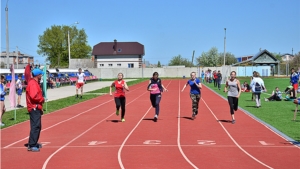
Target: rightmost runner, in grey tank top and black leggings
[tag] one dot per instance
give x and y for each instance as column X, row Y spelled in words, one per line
column 233, row 94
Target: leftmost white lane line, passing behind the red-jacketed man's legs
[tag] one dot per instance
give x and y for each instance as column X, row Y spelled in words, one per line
column 65, row 120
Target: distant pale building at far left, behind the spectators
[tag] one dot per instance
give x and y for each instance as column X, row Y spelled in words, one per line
column 17, row 58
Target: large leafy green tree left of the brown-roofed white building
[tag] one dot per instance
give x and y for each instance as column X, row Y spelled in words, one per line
column 53, row 44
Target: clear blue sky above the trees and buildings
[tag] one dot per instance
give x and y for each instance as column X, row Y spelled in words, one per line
column 165, row 28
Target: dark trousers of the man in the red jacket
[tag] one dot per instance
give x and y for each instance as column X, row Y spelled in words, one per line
column 35, row 127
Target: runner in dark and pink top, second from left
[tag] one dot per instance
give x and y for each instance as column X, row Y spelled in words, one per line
column 156, row 88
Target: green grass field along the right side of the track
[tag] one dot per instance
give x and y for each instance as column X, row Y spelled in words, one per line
column 278, row 114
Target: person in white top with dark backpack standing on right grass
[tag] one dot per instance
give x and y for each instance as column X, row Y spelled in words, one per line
column 257, row 85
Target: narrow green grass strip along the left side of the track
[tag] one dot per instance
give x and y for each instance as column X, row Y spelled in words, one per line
column 22, row 114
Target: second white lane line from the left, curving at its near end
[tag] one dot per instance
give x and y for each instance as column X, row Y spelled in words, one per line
column 48, row 159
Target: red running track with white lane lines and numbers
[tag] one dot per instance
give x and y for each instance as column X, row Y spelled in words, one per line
column 90, row 135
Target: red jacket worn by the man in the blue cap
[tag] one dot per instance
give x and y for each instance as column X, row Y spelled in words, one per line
column 34, row 96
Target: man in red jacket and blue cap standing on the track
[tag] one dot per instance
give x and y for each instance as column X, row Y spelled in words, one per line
column 35, row 100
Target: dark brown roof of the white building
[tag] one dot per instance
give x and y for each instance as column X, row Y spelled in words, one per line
column 123, row 48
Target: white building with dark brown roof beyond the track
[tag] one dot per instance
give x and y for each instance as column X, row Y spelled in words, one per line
column 118, row 54
